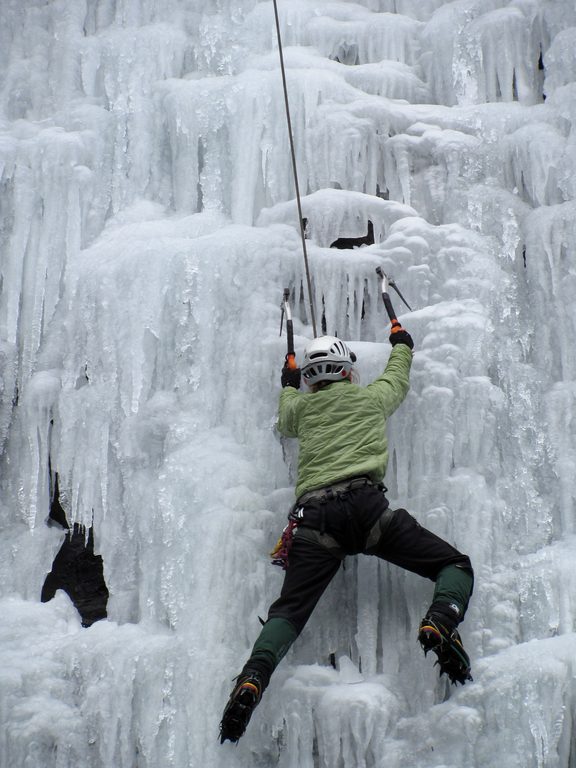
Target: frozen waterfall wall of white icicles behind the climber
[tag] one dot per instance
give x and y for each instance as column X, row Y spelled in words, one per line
column 147, row 230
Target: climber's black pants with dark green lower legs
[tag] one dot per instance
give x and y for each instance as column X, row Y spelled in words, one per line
column 346, row 523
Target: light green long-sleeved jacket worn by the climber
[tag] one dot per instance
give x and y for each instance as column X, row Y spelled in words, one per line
column 341, row 428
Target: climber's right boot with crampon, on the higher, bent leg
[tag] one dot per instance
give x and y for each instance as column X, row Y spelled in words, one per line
column 434, row 635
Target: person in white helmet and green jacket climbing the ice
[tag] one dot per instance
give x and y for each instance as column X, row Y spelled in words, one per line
column 341, row 509
